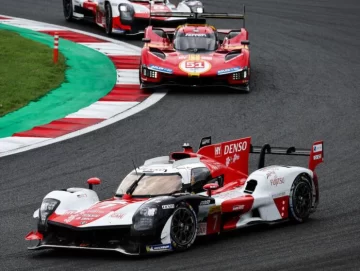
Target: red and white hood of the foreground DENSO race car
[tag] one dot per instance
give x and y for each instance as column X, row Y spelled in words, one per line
column 114, row 212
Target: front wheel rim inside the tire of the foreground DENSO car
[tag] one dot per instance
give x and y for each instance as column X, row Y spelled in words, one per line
column 183, row 226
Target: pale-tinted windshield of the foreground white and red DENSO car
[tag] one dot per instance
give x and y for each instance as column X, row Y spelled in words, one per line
column 151, row 184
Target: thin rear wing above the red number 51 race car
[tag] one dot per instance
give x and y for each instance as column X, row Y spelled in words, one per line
column 194, row 17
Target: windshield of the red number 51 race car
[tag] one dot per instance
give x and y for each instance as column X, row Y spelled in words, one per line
column 195, row 42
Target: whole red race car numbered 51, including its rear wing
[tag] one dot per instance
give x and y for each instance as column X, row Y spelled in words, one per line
column 193, row 54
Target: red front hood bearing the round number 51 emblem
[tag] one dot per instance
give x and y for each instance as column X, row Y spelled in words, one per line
column 203, row 64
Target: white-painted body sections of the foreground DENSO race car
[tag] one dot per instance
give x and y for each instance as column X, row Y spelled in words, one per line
column 273, row 182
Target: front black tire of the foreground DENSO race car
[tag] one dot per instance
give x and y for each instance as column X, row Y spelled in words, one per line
column 183, row 229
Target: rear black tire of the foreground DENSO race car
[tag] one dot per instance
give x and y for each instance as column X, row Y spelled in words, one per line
column 300, row 199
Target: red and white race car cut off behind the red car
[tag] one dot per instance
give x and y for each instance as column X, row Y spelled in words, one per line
column 129, row 17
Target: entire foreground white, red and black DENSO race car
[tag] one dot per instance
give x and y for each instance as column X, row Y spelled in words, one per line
column 169, row 201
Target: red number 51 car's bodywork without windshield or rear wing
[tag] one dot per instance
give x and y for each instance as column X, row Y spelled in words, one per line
column 228, row 65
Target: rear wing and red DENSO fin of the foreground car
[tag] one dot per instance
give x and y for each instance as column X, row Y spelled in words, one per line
column 235, row 153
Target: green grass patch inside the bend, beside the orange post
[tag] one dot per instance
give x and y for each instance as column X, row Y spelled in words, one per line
column 27, row 71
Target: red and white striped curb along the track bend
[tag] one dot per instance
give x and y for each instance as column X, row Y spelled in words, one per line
column 125, row 99
